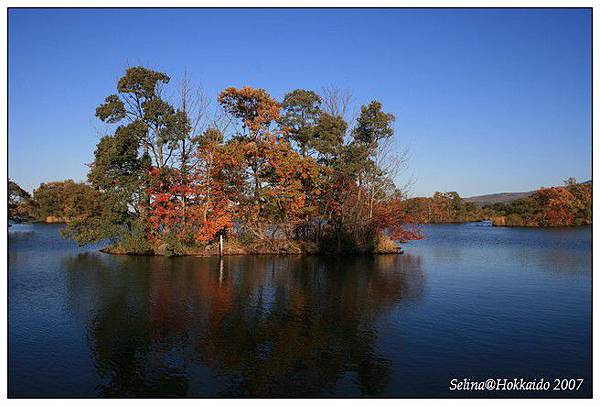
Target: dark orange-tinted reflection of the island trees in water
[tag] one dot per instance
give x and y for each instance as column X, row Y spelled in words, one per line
column 261, row 325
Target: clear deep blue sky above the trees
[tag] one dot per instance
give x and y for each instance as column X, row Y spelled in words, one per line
column 485, row 100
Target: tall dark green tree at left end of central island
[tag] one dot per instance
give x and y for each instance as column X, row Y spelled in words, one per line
column 152, row 134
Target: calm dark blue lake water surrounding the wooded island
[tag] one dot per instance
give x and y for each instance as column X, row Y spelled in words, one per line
column 466, row 302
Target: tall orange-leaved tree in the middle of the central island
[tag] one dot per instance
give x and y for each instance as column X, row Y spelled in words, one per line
column 276, row 175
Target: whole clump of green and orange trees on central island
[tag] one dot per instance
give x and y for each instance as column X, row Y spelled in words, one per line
column 295, row 174
